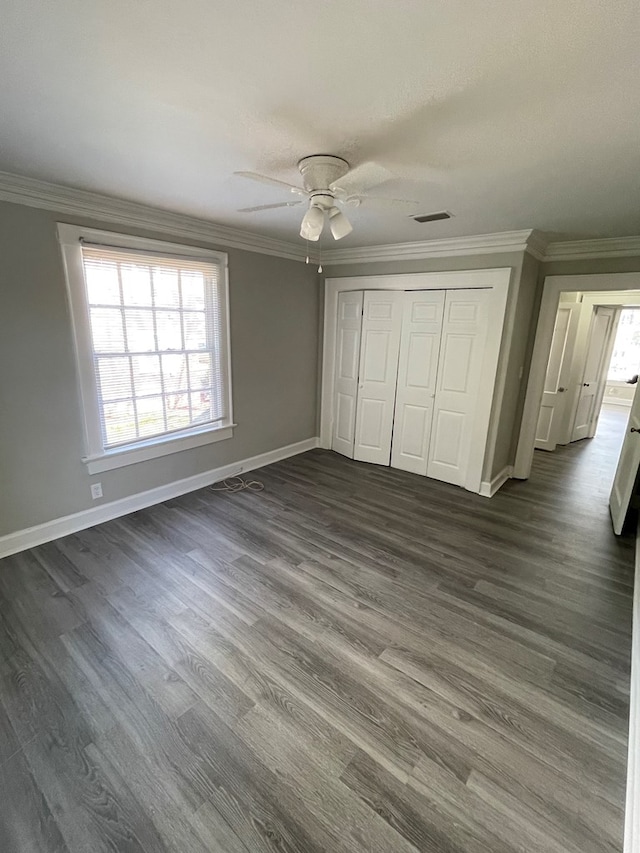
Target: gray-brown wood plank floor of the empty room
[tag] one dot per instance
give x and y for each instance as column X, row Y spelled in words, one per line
column 355, row 659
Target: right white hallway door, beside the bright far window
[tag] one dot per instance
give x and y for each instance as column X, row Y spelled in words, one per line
column 604, row 322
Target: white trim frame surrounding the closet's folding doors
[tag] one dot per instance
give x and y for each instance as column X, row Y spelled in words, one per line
column 496, row 281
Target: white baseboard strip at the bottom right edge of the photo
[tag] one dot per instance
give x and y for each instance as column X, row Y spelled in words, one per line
column 632, row 810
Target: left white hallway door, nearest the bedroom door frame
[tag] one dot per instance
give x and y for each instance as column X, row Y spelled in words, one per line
column 554, row 398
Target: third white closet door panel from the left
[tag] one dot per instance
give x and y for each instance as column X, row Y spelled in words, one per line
column 417, row 373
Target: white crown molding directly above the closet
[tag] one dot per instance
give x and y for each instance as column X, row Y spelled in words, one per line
column 483, row 244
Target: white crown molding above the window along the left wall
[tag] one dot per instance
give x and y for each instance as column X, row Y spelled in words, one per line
column 62, row 199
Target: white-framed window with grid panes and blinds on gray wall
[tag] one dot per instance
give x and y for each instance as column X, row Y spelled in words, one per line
column 151, row 330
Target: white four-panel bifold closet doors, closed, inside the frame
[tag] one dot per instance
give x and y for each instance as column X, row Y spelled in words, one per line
column 408, row 373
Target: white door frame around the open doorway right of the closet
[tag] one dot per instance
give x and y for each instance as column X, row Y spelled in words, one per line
column 553, row 286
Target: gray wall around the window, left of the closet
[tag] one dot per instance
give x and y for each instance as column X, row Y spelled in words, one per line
column 274, row 345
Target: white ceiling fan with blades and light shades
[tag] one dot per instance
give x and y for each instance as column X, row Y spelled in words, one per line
column 329, row 181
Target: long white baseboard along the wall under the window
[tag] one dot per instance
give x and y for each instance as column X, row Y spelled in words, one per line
column 57, row 527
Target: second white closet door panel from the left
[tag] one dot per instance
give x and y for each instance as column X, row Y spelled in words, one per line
column 381, row 326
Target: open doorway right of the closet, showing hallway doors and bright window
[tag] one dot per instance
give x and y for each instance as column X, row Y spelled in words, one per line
column 593, row 361
